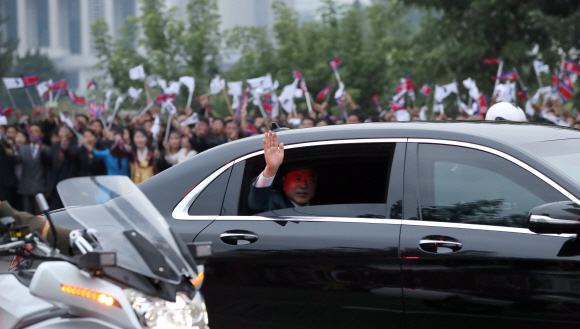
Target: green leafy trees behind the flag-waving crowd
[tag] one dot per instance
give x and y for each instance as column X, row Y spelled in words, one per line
column 378, row 45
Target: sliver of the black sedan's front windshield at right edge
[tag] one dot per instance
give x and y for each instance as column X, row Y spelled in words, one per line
column 564, row 155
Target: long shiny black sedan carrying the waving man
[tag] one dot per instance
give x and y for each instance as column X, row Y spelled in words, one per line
column 412, row 225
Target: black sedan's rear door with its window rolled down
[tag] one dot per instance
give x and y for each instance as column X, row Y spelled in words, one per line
column 319, row 266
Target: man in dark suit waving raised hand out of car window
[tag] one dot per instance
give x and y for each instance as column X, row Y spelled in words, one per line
column 299, row 183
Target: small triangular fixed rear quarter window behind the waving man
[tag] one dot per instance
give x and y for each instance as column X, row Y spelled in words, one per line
column 209, row 201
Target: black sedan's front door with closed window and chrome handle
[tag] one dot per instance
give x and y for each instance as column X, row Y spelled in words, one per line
column 468, row 259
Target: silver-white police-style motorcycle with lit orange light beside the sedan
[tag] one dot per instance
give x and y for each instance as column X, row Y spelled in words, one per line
column 130, row 270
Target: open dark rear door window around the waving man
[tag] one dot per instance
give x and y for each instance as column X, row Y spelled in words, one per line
column 351, row 181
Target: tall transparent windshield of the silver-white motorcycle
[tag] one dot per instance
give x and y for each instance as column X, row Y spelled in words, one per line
column 113, row 205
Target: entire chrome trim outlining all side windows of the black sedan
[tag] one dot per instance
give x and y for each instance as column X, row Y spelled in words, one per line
column 181, row 210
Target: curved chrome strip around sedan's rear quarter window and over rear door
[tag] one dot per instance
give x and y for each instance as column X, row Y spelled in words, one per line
column 181, row 210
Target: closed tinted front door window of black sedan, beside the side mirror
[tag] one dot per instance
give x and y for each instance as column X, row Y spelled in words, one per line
column 463, row 185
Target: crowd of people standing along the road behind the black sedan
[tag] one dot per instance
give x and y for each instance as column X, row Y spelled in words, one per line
column 38, row 150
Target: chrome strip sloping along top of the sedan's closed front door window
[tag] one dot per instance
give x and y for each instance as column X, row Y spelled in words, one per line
column 502, row 155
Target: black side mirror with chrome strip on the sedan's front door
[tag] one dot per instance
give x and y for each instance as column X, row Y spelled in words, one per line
column 555, row 218
